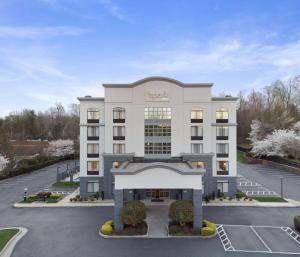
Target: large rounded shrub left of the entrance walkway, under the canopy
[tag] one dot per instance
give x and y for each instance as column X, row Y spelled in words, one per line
column 133, row 213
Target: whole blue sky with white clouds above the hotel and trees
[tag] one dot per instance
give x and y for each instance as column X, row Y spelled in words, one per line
column 55, row 50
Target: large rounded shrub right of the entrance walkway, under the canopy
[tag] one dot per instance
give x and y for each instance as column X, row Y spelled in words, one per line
column 181, row 211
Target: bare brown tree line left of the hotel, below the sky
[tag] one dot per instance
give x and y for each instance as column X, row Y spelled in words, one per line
column 52, row 124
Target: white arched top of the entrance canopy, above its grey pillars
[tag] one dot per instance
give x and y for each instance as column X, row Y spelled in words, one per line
column 158, row 175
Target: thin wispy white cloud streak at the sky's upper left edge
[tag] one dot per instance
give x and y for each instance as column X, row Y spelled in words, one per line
column 27, row 32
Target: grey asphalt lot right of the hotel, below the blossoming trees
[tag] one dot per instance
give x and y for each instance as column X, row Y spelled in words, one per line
column 269, row 178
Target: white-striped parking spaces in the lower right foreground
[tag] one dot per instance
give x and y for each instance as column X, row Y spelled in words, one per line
column 259, row 239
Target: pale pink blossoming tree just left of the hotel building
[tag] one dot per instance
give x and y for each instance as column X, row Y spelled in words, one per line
column 60, row 148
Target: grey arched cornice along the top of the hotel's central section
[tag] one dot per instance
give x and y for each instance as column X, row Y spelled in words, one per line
column 156, row 78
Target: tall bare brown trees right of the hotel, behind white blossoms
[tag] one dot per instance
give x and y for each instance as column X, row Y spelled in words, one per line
column 275, row 107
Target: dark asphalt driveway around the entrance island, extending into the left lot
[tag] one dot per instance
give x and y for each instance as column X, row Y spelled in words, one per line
column 74, row 231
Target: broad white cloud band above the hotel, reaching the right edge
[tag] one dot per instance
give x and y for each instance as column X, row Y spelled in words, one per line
column 222, row 56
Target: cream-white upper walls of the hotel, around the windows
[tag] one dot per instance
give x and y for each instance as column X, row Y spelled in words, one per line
column 160, row 92
